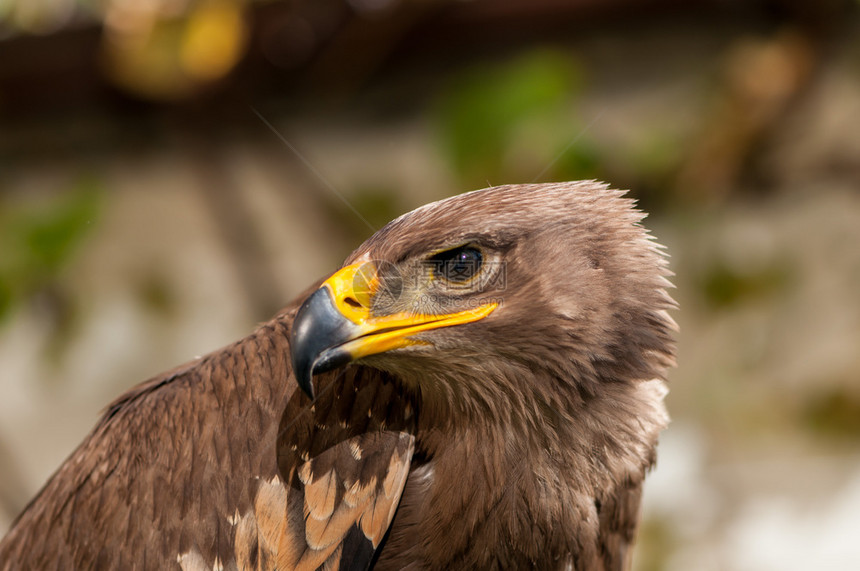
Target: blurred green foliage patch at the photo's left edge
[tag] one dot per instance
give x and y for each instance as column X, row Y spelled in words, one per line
column 37, row 239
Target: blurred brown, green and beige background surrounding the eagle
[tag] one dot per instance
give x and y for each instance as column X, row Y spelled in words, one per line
column 174, row 171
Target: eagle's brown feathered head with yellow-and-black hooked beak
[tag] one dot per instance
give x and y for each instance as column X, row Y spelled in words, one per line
column 502, row 293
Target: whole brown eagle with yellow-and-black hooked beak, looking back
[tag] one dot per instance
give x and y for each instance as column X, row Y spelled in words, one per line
column 479, row 386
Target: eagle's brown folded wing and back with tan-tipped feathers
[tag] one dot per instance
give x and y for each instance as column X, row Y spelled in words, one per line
column 183, row 471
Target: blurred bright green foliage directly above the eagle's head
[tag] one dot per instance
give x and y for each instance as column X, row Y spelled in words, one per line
column 512, row 122
